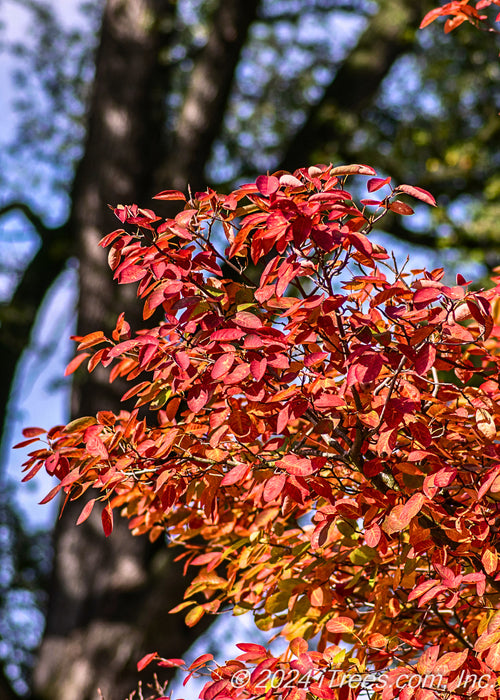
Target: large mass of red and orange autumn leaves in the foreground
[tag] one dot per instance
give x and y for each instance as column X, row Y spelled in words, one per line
column 322, row 433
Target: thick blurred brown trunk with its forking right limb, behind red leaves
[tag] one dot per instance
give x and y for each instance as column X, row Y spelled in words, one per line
column 109, row 598
